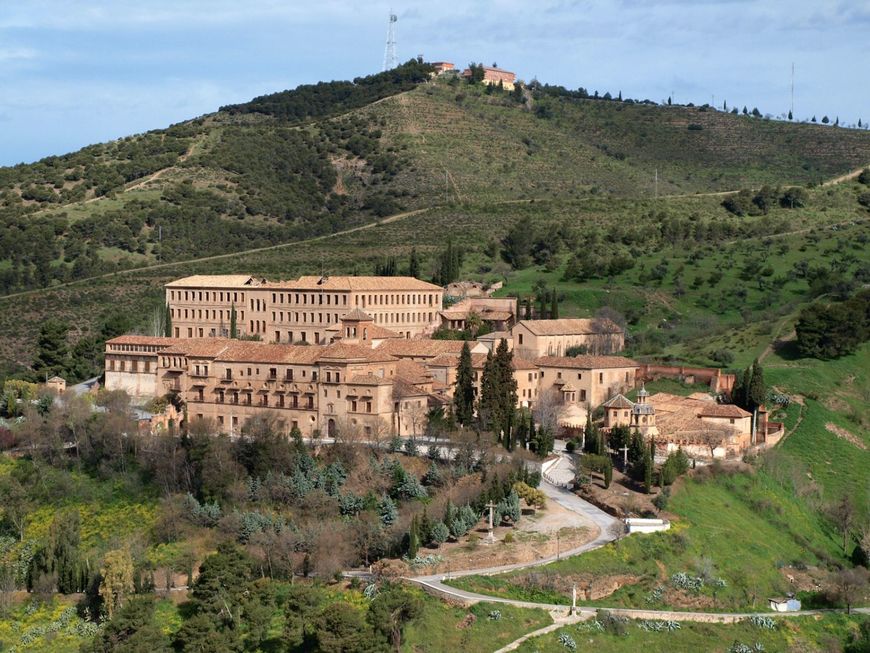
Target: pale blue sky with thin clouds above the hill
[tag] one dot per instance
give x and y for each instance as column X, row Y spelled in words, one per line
column 74, row 72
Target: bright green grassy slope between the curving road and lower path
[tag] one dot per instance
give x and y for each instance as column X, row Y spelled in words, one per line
column 728, row 525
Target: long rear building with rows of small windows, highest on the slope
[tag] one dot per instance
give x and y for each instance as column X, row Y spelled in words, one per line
column 303, row 310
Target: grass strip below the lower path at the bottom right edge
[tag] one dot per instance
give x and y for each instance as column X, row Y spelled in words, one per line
column 801, row 634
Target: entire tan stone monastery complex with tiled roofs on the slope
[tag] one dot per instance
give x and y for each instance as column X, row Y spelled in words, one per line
column 343, row 356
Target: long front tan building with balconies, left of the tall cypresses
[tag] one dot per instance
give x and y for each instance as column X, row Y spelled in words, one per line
column 338, row 388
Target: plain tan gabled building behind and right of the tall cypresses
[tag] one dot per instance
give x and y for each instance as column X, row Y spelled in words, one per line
column 534, row 338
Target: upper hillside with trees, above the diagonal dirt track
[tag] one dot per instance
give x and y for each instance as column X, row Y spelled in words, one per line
column 326, row 157
